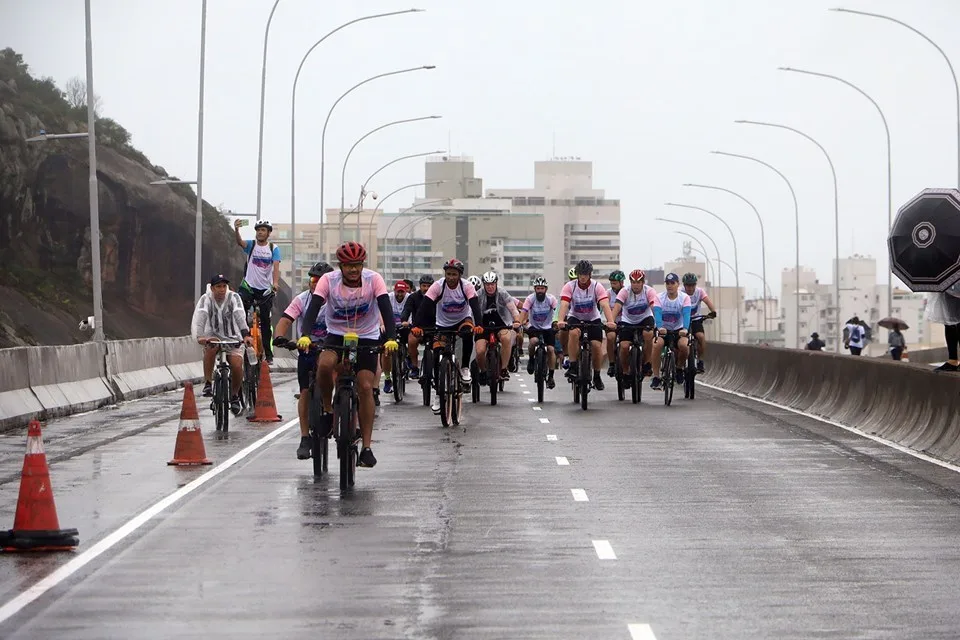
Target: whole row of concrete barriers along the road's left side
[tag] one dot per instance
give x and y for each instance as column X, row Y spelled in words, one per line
column 48, row 382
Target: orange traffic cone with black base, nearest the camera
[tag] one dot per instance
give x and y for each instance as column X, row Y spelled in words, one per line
column 35, row 525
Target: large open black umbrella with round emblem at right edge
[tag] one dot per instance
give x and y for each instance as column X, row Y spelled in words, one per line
column 924, row 243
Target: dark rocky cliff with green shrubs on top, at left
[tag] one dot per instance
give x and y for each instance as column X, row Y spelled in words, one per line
column 147, row 247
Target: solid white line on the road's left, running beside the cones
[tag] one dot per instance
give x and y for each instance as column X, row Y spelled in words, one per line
column 84, row 558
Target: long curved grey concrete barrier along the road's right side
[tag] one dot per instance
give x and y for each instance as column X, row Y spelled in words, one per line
column 911, row 406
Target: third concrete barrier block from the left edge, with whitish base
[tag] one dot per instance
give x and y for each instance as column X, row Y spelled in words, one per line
column 138, row 367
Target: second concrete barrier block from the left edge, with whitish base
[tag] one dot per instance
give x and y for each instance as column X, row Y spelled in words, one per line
column 69, row 378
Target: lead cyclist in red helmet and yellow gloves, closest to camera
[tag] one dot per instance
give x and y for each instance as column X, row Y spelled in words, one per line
column 356, row 301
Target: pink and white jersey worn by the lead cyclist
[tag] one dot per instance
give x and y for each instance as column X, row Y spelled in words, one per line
column 348, row 309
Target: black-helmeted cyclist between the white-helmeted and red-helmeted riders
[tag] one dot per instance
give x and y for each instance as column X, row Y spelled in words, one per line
column 584, row 300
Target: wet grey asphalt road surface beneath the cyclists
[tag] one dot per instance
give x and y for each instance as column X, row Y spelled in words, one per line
column 713, row 518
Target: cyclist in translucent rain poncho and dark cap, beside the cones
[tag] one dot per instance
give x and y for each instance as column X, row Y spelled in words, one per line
column 219, row 316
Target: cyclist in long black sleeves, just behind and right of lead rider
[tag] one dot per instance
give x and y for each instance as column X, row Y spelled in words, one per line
column 451, row 304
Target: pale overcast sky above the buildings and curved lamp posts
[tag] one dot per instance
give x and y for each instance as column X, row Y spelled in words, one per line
column 645, row 89
